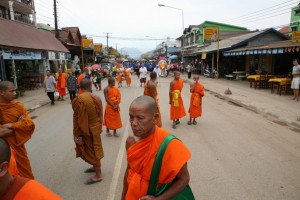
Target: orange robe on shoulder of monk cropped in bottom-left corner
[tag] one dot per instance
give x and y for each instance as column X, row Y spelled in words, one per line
column 23, row 189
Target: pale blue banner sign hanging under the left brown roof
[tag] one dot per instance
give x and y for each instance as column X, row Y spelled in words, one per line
column 21, row 55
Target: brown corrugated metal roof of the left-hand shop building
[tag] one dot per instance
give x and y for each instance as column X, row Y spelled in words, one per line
column 19, row 35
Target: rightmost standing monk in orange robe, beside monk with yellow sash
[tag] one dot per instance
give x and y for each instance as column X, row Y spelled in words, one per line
column 197, row 90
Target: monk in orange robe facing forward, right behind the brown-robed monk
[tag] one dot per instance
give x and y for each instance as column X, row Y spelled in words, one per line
column 112, row 116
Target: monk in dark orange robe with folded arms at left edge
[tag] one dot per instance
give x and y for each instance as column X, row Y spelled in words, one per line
column 17, row 127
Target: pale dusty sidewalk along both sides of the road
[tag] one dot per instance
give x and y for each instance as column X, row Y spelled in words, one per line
column 281, row 109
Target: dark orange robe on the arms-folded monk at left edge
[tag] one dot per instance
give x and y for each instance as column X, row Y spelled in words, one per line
column 22, row 133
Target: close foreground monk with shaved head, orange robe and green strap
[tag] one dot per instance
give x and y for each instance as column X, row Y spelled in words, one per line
column 141, row 154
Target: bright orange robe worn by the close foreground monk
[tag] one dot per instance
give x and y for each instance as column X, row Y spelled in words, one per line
column 141, row 157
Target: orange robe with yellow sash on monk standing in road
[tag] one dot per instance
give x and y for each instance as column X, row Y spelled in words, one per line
column 177, row 111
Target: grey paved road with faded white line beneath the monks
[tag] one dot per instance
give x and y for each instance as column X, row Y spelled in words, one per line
column 236, row 153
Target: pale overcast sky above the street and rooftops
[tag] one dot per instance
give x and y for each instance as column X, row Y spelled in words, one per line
column 129, row 20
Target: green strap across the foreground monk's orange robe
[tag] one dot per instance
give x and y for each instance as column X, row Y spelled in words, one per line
column 157, row 165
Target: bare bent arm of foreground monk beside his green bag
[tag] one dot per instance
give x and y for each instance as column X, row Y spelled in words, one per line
column 180, row 181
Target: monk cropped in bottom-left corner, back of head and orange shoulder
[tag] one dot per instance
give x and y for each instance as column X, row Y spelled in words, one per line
column 19, row 188
